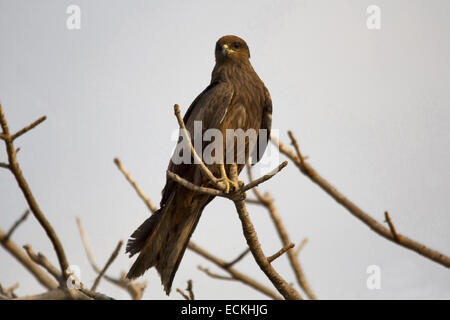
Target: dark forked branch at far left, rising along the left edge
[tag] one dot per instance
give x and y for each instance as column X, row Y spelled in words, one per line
column 32, row 203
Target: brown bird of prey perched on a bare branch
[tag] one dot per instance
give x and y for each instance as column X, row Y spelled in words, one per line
column 236, row 98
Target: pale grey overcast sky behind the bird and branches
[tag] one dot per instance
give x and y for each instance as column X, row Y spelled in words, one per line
column 370, row 107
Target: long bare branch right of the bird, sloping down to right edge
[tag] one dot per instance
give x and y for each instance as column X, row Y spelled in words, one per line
column 379, row 228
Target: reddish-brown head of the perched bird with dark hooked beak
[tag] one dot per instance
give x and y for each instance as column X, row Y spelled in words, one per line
column 232, row 48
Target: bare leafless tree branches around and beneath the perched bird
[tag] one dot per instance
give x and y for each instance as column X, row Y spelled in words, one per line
column 60, row 283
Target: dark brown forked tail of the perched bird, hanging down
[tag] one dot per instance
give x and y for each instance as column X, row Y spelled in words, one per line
column 162, row 240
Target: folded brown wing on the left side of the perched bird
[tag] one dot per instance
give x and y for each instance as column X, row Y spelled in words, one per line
column 209, row 107
